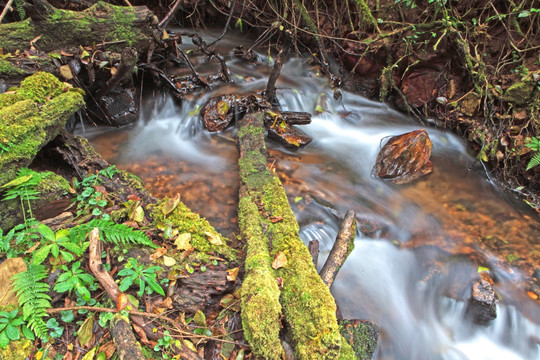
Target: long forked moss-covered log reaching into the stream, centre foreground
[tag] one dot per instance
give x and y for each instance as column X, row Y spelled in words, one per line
column 269, row 227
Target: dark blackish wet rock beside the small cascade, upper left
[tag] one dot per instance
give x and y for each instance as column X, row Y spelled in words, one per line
column 120, row 107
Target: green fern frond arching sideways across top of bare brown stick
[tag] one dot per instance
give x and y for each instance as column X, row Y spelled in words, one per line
column 115, row 233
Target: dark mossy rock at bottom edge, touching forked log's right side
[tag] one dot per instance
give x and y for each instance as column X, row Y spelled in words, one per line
column 362, row 335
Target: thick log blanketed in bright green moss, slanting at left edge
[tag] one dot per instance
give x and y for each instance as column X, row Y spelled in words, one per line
column 30, row 117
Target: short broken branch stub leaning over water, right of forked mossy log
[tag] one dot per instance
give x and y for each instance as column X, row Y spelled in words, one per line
column 341, row 249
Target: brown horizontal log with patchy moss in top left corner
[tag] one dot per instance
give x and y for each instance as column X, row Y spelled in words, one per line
column 49, row 28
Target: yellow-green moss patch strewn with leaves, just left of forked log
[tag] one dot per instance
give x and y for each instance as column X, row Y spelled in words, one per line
column 186, row 221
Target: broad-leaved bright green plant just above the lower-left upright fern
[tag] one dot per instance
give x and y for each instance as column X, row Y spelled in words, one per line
column 55, row 244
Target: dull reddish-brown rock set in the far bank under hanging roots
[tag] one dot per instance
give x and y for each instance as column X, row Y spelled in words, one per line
column 420, row 86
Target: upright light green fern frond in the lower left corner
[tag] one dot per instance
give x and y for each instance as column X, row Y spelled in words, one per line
column 33, row 297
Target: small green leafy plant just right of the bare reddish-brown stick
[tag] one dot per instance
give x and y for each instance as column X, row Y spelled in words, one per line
column 135, row 273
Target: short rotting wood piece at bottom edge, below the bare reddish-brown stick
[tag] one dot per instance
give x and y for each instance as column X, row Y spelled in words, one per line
column 127, row 347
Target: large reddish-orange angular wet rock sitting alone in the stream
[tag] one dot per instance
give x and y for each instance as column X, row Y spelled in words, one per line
column 405, row 157
